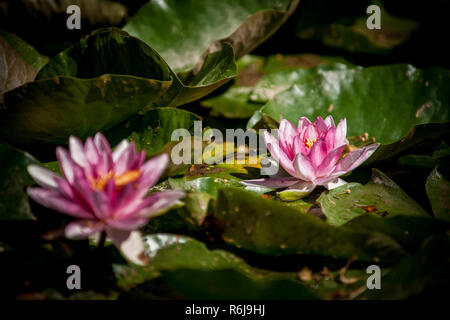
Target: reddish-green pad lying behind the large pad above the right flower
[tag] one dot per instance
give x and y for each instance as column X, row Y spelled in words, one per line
column 261, row 78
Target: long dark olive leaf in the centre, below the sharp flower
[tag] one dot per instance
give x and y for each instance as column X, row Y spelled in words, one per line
column 271, row 228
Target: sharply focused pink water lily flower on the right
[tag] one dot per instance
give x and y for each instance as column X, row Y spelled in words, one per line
column 311, row 154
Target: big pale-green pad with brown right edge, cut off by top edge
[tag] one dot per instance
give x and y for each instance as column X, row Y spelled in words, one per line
column 195, row 26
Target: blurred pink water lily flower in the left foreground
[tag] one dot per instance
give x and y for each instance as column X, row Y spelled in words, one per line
column 104, row 190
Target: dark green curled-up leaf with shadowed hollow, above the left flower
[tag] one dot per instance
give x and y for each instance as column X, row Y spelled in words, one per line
column 75, row 95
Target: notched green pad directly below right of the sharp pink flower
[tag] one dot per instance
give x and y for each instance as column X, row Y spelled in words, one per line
column 380, row 197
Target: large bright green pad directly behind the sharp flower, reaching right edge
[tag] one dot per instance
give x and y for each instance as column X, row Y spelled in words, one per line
column 383, row 101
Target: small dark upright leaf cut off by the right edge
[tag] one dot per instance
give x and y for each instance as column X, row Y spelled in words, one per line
column 438, row 191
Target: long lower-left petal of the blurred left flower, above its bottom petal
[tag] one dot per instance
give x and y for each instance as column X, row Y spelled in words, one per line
column 53, row 200
